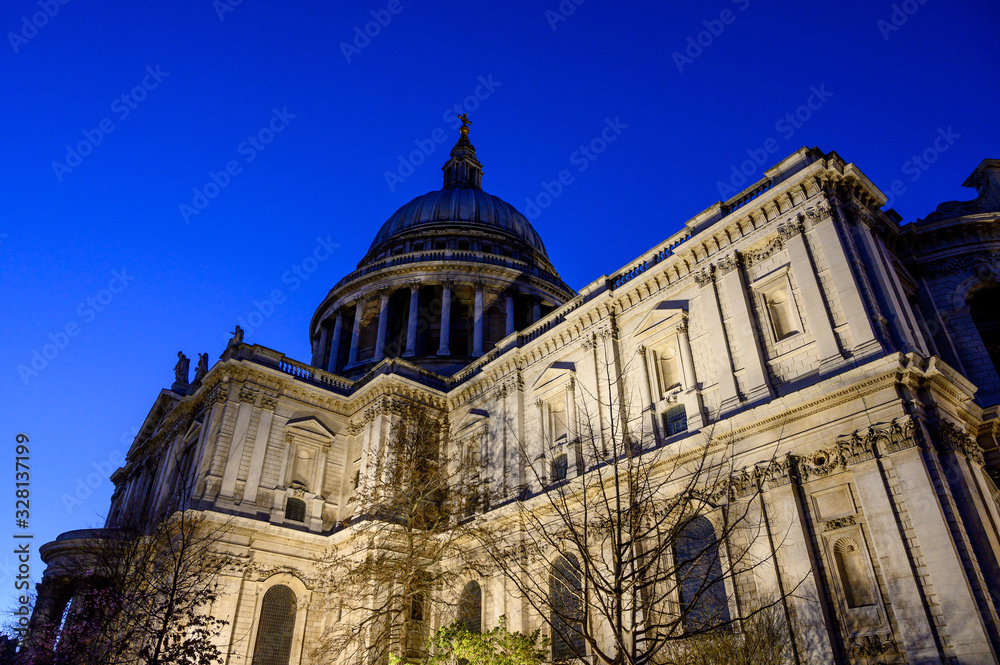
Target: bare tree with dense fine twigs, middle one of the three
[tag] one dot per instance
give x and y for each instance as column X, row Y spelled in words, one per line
column 404, row 540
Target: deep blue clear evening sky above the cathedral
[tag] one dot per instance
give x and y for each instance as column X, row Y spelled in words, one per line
column 199, row 80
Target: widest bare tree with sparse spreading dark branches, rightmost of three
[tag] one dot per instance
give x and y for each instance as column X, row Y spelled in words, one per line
column 647, row 545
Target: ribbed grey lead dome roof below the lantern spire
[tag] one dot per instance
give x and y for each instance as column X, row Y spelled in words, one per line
column 465, row 205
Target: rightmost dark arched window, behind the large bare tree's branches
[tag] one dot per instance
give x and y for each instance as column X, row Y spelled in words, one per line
column 699, row 572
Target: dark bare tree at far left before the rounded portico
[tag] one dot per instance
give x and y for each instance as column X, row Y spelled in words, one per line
column 142, row 593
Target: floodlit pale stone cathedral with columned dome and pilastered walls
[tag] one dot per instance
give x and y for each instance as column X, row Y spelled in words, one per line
column 810, row 331
